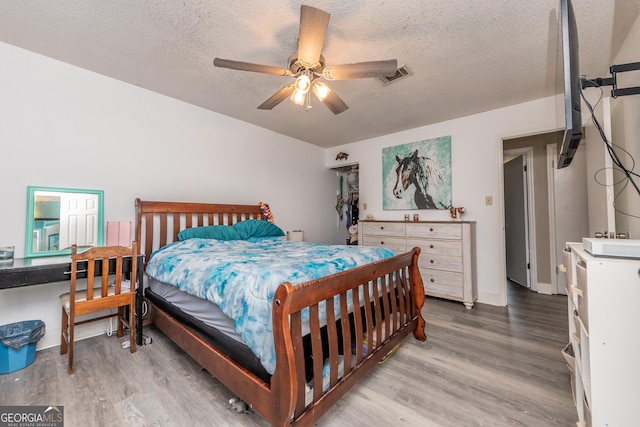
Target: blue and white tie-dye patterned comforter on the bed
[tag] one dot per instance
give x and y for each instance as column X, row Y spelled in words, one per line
column 241, row 277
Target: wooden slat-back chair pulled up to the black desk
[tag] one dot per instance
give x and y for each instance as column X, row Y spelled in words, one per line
column 107, row 294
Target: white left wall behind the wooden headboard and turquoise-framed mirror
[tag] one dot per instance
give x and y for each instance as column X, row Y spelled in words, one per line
column 66, row 127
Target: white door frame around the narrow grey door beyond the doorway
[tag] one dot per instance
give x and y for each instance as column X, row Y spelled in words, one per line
column 527, row 157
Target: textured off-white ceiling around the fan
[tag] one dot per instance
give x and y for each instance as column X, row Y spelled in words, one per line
column 466, row 56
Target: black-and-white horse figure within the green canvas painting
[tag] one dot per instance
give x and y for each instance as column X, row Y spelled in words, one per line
column 421, row 172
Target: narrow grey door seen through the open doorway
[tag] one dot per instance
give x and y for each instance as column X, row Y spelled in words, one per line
column 516, row 220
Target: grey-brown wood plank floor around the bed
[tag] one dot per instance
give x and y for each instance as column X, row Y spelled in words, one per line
column 489, row 366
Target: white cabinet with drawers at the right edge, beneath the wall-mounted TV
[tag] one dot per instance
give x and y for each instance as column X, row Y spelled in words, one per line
column 604, row 332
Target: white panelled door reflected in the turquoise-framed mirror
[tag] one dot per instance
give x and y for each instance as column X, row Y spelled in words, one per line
column 78, row 219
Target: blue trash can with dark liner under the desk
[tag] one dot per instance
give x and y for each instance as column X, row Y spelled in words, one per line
column 18, row 344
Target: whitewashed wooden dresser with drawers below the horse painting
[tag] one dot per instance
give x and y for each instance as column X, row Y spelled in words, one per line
column 447, row 259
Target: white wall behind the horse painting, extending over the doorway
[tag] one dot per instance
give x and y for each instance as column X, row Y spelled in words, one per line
column 476, row 145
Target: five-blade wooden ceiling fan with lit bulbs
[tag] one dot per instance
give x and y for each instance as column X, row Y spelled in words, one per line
column 308, row 67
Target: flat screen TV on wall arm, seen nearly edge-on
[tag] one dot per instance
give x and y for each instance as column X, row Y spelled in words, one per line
column 568, row 32
